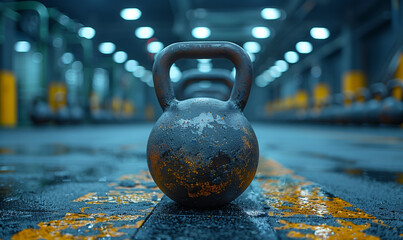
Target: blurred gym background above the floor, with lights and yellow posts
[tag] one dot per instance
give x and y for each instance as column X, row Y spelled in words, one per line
column 90, row 61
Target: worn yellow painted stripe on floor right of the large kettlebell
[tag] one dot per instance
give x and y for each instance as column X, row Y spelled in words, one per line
column 292, row 196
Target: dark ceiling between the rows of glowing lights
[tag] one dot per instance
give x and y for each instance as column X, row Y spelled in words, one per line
column 229, row 20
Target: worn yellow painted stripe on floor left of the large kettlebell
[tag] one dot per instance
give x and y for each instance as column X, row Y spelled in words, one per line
column 98, row 225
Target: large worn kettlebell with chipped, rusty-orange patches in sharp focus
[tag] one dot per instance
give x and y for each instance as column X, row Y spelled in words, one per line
column 202, row 152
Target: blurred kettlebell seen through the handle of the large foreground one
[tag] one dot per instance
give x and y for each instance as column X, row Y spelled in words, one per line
column 216, row 83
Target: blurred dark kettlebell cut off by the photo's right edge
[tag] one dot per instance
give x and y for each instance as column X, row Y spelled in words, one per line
column 392, row 106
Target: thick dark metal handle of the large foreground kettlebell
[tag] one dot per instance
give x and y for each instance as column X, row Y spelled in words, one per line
column 201, row 50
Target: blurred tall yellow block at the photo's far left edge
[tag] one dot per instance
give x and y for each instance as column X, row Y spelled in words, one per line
column 8, row 99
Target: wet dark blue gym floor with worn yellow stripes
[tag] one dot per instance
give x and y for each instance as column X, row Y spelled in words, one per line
column 91, row 182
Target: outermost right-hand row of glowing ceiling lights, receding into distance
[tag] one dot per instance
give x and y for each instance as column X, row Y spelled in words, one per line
column 291, row 57
